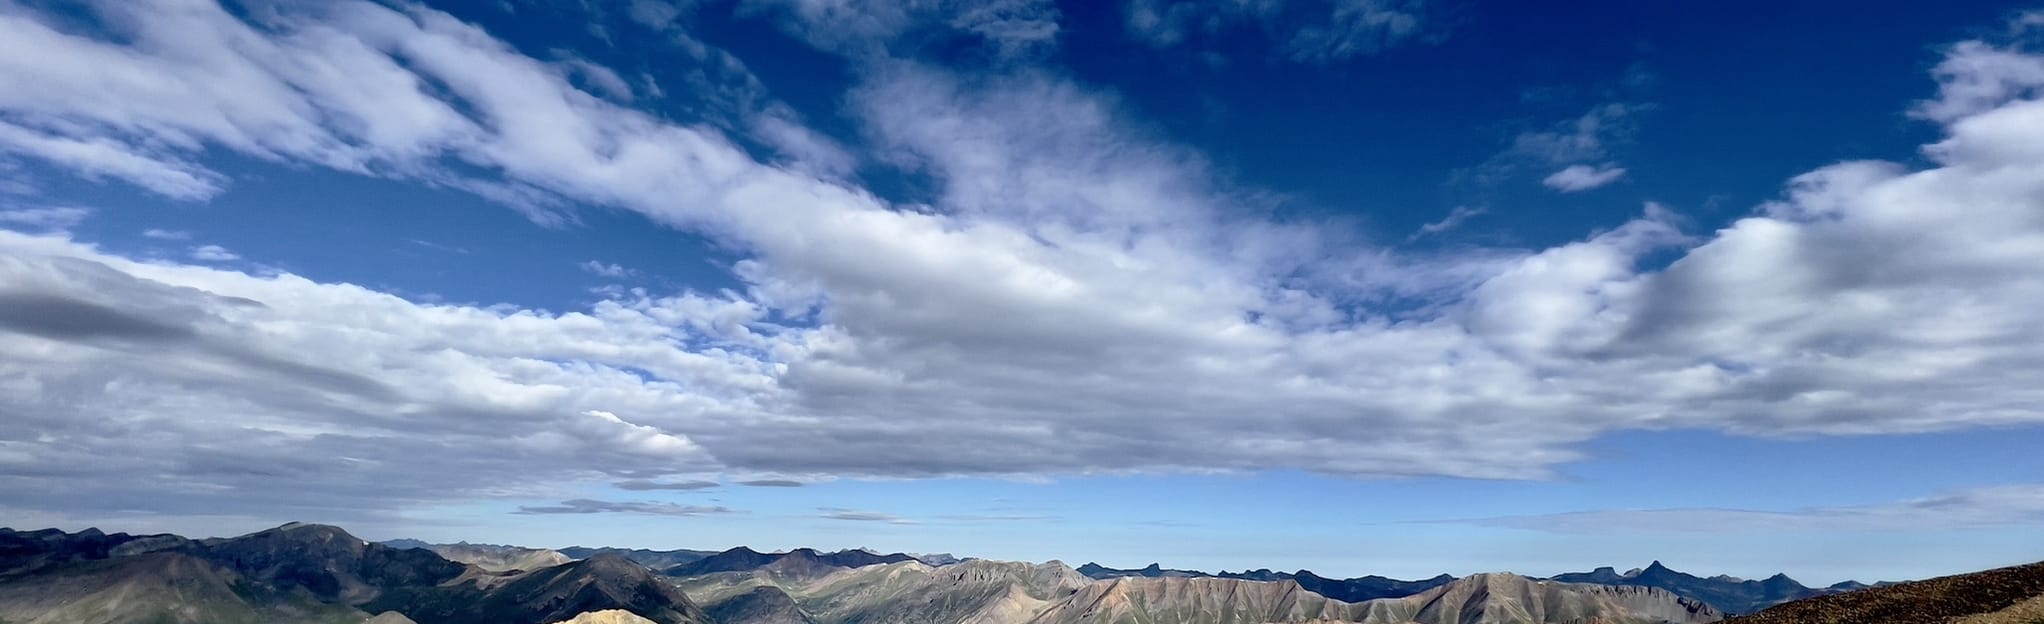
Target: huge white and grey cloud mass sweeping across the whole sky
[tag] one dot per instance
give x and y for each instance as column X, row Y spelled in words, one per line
column 1080, row 298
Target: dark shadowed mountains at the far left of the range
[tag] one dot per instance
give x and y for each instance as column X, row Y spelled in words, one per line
column 304, row 574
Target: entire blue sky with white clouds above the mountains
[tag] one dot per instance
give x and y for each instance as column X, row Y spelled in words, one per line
column 1352, row 285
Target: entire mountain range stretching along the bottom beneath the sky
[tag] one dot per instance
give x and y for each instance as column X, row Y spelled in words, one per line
column 322, row 574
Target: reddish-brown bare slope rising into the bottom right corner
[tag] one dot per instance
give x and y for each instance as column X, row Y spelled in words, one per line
column 1998, row 596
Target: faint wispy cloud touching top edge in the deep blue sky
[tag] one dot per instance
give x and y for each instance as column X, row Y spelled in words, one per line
column 1317, row 32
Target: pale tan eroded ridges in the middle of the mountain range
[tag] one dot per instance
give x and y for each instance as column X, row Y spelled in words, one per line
column 996, row 592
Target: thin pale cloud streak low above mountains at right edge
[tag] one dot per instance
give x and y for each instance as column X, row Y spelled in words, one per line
column 1967, row 508
